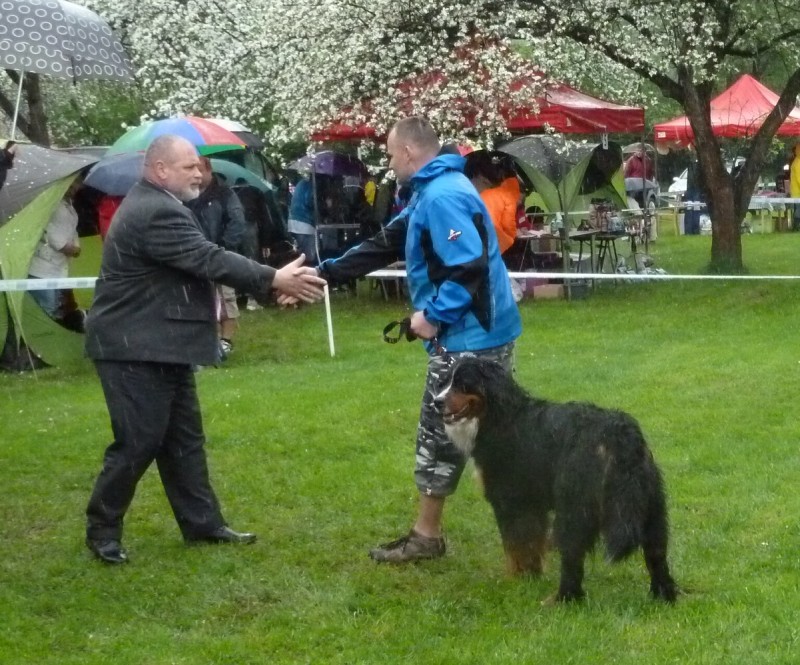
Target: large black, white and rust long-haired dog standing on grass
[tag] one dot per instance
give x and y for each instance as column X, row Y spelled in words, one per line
column 590, row 466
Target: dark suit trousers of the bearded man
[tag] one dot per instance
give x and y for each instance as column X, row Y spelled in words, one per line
column 155, row 416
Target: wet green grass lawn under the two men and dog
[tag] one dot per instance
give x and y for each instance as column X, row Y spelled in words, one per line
column 315, row 455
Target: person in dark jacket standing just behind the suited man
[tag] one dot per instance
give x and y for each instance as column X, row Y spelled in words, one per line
column 222, row 221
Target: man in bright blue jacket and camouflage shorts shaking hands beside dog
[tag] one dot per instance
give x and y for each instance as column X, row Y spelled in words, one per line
column 462, row 302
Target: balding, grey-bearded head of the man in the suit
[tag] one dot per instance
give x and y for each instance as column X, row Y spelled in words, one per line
column 171, row 162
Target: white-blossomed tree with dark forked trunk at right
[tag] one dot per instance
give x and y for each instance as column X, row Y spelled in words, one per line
column 294, row 65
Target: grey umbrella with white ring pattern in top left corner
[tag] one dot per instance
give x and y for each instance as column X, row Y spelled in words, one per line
column 60, row 39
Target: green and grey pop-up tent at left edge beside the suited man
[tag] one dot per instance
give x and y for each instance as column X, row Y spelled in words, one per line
column 35, row 185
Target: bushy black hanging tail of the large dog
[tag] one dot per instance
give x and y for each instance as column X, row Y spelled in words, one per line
column 633, row 498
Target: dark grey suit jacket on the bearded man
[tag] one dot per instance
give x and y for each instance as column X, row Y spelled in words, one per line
column 154, row 298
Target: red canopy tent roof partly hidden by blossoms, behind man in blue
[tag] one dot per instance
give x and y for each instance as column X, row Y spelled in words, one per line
column 562, row 108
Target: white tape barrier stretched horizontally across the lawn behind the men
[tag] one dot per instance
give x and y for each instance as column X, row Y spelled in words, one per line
column 89, row 282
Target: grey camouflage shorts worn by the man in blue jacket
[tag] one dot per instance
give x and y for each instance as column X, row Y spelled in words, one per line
column 439, row 464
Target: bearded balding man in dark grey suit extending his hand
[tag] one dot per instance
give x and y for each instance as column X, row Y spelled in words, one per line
column 152, row 319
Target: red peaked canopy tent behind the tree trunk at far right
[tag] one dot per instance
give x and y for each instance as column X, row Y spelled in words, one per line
column 736, row 113
